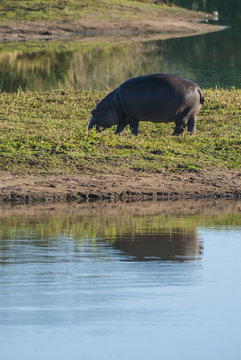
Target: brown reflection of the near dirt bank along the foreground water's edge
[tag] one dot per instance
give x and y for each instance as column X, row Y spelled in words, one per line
column 116, row 209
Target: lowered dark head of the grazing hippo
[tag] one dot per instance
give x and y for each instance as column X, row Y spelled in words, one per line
column 103, row 116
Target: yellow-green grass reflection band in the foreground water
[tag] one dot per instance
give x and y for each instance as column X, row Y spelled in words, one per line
column 77, row 227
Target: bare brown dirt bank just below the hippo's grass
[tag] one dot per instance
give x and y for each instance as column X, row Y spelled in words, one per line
column 50, row 188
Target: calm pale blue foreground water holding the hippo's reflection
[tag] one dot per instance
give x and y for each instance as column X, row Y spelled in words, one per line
column 109, row 281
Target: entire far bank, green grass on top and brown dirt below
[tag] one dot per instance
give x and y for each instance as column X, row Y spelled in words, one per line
column 32, row 20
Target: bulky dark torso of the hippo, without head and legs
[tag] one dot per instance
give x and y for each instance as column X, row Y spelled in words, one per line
column 158, row 97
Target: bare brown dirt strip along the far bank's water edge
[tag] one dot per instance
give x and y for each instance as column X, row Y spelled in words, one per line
column 123, row 28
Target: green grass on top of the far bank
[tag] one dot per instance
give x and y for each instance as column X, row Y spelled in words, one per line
column 85, row 9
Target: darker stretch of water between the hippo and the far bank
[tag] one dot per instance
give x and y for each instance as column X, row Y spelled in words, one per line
column 210, row 60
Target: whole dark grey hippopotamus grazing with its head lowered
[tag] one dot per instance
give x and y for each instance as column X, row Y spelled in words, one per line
column 160, row 98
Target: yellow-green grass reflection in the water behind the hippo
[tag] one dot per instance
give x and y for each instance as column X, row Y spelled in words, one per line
column 71, row 64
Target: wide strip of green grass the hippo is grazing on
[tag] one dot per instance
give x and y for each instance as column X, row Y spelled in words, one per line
column 47, row 132
